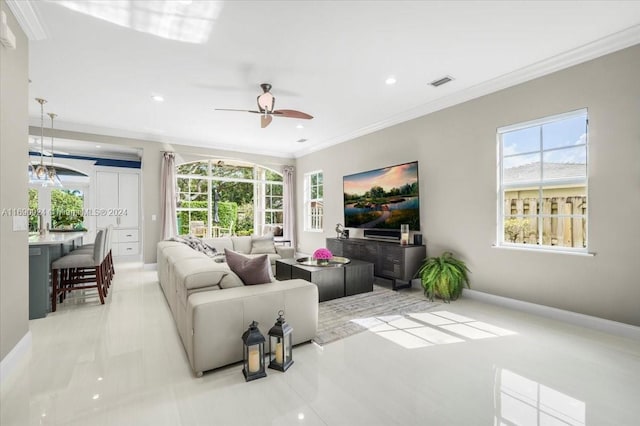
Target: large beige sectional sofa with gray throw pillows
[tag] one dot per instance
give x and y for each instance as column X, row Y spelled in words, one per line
column 212, row 307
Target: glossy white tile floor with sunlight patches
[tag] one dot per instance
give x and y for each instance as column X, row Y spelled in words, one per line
column 123, row 364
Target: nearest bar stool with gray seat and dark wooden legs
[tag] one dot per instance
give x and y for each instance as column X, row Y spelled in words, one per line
column 80, row 271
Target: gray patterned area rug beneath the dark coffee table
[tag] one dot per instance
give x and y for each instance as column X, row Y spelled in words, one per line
column 334, row 316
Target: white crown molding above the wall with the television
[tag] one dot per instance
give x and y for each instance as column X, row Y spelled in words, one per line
column 612, row 43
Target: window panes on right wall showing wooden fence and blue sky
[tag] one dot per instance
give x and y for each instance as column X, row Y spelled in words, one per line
column 543, row 190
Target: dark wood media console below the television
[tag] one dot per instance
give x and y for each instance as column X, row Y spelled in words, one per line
column 390, row 259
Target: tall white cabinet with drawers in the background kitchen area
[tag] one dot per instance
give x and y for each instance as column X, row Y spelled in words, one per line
column 118, row 204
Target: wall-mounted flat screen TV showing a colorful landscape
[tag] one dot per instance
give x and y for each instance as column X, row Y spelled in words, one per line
column 383, row 198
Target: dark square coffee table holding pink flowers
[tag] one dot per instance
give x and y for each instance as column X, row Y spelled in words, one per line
column 341, row 277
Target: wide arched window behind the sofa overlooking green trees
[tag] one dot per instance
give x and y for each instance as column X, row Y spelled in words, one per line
column 223, row 197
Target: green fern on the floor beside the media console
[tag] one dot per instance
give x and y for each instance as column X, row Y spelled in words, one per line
column 443, row 276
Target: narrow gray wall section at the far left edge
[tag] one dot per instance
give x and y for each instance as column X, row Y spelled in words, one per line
column 14, row 254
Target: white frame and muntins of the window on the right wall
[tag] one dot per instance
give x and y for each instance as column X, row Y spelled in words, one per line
column 540, row 184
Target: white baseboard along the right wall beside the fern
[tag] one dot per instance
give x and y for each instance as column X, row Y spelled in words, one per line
column 613, row 327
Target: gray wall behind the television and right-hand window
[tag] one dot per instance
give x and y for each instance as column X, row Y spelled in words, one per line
column 456, row 148
